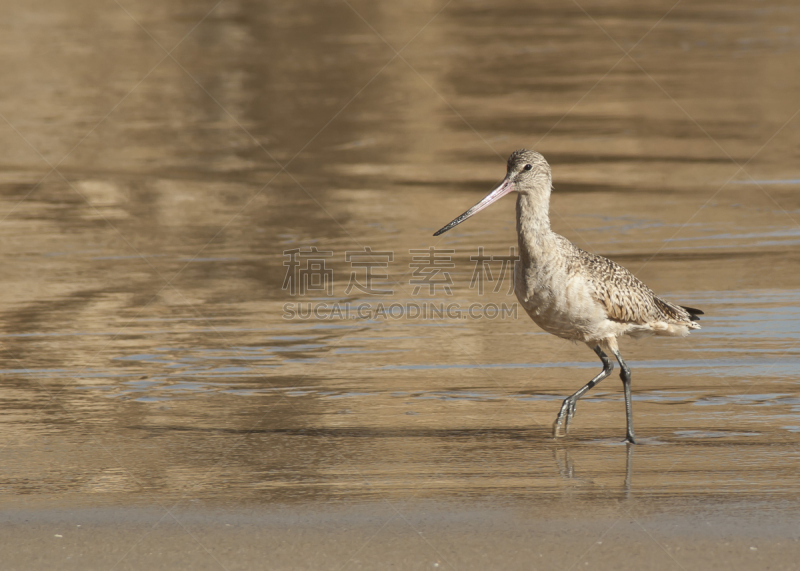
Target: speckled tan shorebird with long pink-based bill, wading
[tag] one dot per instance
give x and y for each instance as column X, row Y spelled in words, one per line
column 574, row 294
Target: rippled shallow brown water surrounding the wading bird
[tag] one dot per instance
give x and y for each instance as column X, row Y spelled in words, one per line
column 147, row 201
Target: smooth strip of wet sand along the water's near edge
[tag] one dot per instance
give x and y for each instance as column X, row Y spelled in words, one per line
column 414, row 535
